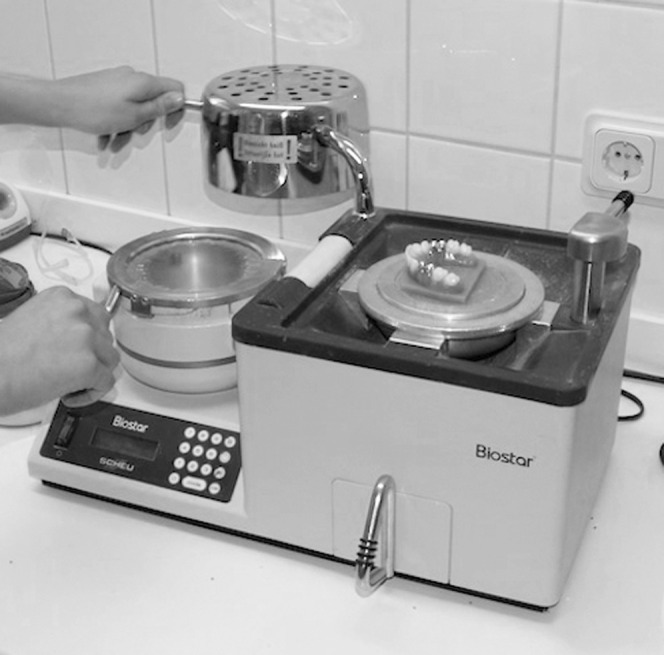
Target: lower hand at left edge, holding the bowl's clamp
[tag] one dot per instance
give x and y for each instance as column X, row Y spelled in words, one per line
column 55, row 344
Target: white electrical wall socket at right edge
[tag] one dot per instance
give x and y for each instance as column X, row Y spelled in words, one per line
column 624, row 153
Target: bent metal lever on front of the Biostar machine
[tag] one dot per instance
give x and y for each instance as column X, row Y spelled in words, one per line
column 378, row 538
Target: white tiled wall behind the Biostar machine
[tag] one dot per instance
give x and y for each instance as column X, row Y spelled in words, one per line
column 477, row 107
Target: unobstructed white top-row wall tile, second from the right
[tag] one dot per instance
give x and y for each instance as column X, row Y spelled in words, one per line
column 484, row 71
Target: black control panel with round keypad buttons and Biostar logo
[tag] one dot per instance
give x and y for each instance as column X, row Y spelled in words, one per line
column 185, row 456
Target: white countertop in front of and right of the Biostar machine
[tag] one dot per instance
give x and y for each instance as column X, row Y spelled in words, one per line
column 84, row 576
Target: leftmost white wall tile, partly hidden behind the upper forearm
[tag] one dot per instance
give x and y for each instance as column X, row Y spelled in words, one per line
column 30, row 156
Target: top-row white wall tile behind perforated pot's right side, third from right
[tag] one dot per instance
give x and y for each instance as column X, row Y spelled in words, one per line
column 367, row 39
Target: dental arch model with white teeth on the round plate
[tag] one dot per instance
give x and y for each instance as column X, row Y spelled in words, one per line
column 427, row 261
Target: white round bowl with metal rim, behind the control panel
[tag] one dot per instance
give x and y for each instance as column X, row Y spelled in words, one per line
column 179, row 290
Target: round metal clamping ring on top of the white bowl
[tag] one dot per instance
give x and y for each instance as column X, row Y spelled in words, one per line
column 195, row 267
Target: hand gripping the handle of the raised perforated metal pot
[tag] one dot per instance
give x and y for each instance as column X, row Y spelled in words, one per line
column 116, row 101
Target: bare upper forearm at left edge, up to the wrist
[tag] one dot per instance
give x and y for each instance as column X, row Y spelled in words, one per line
column 30, row 101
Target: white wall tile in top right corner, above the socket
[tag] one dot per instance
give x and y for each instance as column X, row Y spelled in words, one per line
column 611, row 61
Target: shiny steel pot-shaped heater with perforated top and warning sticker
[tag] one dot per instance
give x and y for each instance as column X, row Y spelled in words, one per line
column 258, row 134
